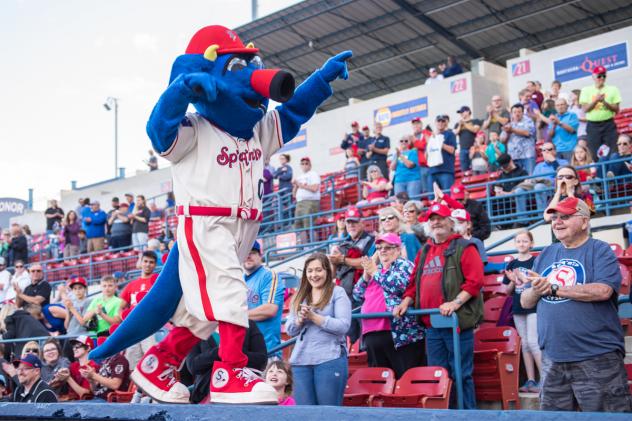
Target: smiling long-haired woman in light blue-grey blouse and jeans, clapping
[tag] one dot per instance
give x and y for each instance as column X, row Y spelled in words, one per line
column 320, row 317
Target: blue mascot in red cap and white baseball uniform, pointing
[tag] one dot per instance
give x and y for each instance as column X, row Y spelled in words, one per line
column 217, row 157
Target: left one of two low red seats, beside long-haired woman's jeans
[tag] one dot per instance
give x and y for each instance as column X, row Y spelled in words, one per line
column 366, row 382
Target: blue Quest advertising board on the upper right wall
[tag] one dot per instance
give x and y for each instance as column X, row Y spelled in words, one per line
column 581, row 65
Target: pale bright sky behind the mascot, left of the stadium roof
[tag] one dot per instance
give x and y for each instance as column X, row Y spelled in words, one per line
column 62, row 59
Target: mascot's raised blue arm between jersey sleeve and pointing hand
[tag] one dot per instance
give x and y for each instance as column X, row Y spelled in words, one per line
column 302, row 106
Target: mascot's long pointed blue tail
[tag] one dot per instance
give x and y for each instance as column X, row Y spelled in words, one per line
column 154, row 310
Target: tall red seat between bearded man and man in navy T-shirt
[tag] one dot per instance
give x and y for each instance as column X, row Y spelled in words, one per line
column 497, row 365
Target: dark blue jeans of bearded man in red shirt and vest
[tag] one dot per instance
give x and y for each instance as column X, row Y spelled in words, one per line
column 441, row 353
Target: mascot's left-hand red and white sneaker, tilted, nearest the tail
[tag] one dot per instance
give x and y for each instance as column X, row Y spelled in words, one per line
column 155, row 374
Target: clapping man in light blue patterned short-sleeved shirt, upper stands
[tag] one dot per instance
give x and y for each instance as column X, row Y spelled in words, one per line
column 519, row 134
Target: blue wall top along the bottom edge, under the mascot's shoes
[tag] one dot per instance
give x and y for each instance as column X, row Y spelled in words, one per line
column 99, row 411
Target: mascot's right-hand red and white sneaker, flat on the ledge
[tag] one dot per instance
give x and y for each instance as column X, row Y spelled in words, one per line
column 239, row 386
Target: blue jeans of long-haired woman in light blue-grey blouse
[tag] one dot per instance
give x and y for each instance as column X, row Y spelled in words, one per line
column 322, row 384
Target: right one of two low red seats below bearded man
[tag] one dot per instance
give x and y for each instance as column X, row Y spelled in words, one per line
column 419, row 387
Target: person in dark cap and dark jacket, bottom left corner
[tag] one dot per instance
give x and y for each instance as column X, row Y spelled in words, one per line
column 32, row 388
